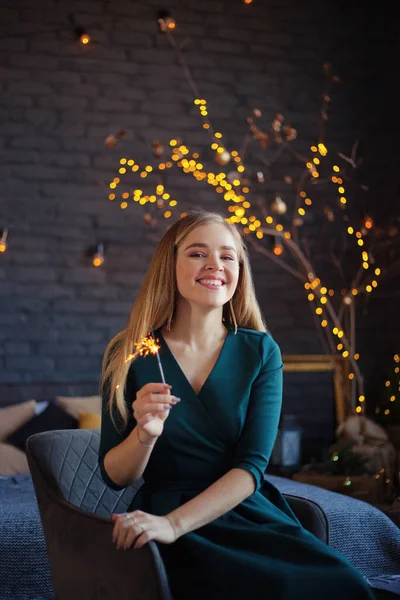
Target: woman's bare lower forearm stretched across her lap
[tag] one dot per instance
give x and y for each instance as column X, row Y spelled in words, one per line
column 223, row 495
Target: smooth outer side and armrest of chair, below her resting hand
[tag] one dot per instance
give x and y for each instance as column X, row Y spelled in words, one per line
column 84, row 562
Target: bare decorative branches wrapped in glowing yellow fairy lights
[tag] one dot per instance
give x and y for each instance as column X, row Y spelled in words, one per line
column 287, row 233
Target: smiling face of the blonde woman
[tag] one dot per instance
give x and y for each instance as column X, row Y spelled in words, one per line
column 207, row 266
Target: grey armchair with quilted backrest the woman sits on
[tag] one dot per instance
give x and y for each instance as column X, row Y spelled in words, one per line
column 75, row 505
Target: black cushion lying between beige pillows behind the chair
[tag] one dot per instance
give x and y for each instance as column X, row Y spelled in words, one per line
column 52, row 418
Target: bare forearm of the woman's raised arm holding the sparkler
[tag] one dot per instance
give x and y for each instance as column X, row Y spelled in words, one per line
column 126, row 462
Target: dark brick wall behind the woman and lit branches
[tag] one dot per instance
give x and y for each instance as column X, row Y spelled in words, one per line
column 58, row 101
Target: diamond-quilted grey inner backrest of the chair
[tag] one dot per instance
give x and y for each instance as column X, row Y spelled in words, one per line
column 69, row 462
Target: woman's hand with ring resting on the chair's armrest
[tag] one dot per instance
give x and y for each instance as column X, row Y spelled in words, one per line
column 137, row 528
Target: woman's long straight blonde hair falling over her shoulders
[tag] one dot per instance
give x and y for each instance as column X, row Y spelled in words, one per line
column 155, row 303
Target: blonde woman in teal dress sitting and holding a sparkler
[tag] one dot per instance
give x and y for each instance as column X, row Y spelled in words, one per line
column 202, row 441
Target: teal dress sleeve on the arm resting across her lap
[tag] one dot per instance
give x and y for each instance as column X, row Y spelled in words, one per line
column 258, row 436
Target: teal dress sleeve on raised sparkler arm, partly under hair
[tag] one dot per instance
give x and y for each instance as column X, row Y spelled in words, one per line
column 111, row 434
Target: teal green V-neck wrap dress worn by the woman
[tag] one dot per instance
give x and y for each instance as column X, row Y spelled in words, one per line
column 257, row 550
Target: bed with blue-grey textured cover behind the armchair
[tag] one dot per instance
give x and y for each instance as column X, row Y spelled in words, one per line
column 369, row 539
